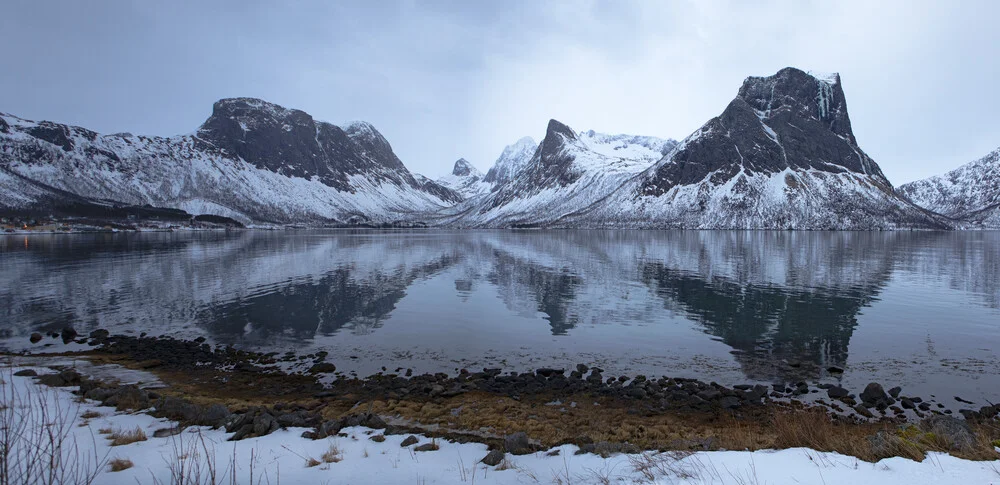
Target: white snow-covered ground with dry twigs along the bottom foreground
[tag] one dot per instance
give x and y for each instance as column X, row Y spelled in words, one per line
column 282, row 457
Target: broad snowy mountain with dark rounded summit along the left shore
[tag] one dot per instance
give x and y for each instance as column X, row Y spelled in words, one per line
column 251, row 160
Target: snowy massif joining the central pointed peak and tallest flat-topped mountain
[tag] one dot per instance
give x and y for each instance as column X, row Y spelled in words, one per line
column 782, row 155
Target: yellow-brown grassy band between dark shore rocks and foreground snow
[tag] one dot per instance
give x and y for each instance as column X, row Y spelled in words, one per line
column 612, row 420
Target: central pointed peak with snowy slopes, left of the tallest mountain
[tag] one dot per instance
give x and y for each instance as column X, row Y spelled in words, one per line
column 567, row 171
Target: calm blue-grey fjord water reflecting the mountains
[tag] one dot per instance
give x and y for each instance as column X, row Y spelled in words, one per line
column 920, row 309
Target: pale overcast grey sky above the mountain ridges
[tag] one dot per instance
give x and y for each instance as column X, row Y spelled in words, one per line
column 443, row 80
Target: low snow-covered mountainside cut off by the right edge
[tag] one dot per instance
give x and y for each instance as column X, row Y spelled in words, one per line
column 970, row 193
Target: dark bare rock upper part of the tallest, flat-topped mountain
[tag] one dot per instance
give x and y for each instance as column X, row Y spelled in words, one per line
column 790, row 120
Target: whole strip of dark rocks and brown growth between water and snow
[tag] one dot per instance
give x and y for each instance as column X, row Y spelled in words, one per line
column 248, row 395
